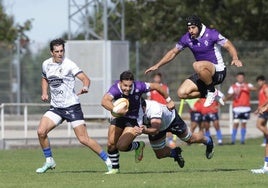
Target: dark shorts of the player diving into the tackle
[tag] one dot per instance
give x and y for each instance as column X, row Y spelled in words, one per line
column 177, row 127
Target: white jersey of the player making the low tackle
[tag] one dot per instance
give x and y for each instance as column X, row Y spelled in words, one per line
column 159, row 111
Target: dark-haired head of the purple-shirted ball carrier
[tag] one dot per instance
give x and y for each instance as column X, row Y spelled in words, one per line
column 126, row 82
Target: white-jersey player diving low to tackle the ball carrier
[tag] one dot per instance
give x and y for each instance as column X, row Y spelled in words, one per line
column 158, row 120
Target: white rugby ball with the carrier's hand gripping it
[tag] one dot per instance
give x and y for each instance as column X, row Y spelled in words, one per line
column 120, row 107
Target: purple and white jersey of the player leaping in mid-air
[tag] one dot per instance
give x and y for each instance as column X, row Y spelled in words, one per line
column 206, row 47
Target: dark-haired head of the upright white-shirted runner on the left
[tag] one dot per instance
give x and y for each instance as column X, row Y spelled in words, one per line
column 57, row 49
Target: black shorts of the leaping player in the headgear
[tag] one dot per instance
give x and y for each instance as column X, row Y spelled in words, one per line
column 217, row 78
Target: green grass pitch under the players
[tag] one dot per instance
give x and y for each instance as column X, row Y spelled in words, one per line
column 79, row 167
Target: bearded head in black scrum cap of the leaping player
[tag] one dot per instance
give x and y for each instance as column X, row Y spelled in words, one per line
column 194, row 25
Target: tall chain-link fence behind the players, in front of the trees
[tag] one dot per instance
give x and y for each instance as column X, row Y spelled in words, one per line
column 142, row 56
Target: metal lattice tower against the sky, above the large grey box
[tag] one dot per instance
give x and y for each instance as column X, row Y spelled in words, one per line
column 80, row 14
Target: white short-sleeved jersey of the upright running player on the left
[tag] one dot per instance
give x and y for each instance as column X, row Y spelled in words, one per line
column 61, row 80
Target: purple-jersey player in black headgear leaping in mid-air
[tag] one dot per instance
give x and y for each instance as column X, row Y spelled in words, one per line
column 209, row 67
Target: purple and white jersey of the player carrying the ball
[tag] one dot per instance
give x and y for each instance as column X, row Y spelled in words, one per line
column 138, row 89
